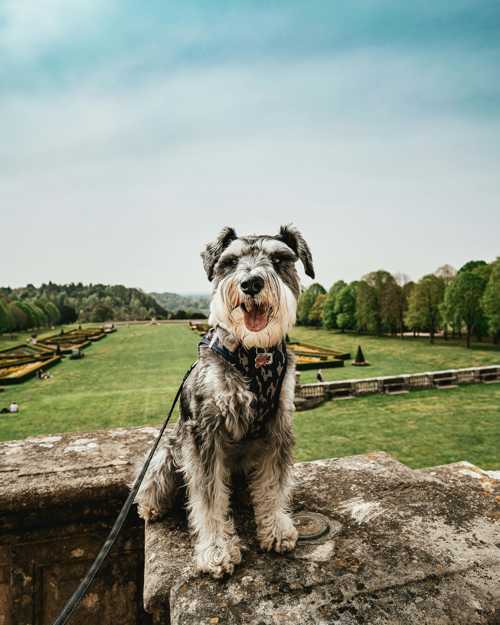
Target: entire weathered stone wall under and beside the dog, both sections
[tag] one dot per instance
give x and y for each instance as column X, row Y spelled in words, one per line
column 400, row 546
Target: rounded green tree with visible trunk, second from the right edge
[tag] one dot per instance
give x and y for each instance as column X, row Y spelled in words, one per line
column 465, row 295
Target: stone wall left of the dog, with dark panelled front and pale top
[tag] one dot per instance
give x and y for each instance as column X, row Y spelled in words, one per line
column 59, row 496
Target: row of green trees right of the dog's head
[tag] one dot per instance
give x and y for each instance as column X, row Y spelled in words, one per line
column 457, row 303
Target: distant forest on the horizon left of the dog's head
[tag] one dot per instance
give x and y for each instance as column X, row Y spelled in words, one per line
column 50, row 304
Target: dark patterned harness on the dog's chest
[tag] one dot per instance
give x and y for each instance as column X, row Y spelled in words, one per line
column 263, row 370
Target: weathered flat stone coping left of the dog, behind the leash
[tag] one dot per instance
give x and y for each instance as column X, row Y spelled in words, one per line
column 38, row 475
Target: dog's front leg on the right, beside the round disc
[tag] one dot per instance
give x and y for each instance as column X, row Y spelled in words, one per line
column 270, row 489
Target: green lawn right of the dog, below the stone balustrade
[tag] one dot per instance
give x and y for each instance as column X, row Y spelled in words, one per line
column 421, row 429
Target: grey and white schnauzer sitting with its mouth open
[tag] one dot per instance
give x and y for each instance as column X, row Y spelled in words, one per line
column 237, row 404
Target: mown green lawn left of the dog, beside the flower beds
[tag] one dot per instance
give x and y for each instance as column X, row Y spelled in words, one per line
column 127, row 378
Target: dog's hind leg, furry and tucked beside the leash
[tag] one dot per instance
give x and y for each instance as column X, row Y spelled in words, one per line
column 157, row 491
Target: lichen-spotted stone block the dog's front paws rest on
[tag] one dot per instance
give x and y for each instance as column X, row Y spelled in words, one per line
column 404, row 547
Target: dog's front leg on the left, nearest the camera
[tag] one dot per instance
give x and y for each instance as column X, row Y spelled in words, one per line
column 217, row 547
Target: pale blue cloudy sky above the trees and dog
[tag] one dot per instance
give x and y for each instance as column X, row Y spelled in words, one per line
column 132, row 132
